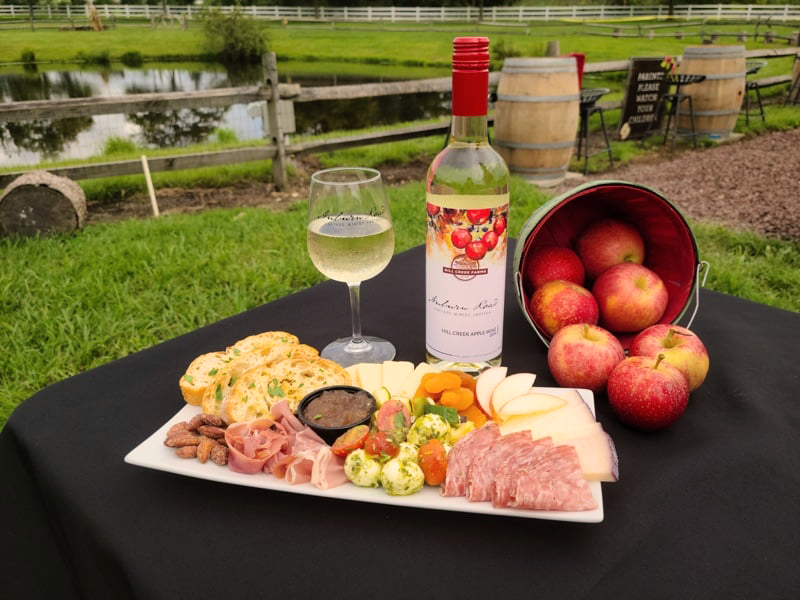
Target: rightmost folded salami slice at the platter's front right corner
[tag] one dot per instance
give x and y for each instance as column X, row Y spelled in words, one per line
column 553, row 483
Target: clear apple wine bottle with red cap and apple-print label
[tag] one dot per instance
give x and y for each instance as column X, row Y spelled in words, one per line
column 467, row 195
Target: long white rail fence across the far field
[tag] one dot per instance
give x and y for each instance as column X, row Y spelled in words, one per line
column 421, row 14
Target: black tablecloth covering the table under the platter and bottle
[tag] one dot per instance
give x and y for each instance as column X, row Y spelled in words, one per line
column 706, row 509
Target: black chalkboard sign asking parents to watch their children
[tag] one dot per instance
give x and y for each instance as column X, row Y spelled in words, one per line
column 647, row 83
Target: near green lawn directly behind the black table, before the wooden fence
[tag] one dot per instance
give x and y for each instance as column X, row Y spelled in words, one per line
column 74, row 302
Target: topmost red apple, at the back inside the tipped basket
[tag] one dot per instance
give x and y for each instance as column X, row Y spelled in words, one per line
column 608, row 242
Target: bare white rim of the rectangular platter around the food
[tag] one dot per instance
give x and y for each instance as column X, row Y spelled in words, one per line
column 153, row 454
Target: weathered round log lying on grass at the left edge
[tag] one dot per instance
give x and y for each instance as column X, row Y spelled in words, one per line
column 40, row 203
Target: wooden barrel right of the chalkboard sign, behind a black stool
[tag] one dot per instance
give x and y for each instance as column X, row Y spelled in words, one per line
column 717, row 100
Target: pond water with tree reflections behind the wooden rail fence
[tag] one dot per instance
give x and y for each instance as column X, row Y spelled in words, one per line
column 31, row 142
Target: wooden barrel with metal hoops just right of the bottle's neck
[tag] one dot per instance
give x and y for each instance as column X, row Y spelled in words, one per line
column 536, row 117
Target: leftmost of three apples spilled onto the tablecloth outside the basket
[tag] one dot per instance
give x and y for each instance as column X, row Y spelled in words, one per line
column 583, row 356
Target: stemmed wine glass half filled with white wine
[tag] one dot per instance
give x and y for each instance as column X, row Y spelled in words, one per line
column 350, row 239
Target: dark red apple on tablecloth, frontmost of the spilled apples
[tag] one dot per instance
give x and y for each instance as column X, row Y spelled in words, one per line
column 647, row 393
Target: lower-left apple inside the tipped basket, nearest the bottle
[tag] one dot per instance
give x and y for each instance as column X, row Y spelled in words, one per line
column 559, row 303
